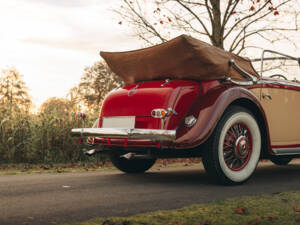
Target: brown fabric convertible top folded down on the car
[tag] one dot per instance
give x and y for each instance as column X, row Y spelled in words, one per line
column 183, row 57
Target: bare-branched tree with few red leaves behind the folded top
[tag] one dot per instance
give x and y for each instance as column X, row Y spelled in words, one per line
column 228, row 24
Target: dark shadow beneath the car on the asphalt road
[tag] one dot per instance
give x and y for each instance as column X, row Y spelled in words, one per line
column 265, row 174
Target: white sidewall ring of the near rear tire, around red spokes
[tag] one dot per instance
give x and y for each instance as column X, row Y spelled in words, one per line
column 245, row 117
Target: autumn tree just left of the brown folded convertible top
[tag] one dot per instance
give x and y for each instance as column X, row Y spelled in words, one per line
column 96, row 82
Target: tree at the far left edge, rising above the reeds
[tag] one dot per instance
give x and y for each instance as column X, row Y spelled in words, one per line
column 14, row 95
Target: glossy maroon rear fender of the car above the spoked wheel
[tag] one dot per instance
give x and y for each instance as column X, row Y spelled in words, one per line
column 208, row 109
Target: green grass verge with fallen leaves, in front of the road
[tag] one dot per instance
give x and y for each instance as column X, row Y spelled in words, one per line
column 278, row 208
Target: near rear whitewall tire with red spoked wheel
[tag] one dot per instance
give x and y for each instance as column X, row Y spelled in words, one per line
column 232, row 152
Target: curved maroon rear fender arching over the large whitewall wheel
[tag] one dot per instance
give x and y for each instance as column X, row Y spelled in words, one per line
column 209, row 109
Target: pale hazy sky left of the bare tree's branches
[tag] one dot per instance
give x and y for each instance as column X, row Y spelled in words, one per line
column 51, row 41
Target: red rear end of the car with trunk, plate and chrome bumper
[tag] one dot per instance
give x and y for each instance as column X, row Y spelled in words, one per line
column 145, row 114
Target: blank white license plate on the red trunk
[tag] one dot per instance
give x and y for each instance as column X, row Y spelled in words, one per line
column 118, row 122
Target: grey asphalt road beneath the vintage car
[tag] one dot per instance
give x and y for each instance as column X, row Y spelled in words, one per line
column 55, row 198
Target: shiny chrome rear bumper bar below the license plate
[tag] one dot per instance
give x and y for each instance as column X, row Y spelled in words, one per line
column 152, row 134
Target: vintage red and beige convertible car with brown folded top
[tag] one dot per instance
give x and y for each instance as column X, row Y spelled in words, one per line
column 186, row 98
